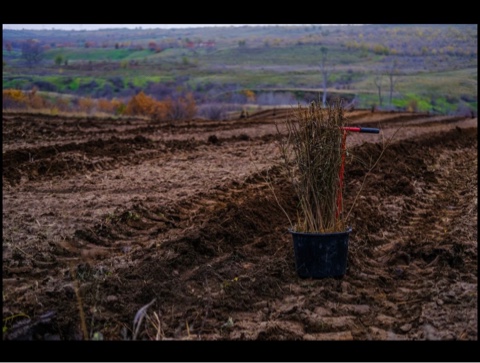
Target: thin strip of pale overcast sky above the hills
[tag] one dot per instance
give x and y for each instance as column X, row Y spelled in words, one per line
column 132, row 26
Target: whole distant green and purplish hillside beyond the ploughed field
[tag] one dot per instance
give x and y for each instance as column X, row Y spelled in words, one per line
column 424, row 67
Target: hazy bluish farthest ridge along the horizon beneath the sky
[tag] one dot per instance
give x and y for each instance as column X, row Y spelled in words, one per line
column 421, row 39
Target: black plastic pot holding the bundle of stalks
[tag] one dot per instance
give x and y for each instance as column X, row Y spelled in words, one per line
column 320, row 255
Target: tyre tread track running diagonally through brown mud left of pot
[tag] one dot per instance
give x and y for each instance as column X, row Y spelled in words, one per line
column 144, row 221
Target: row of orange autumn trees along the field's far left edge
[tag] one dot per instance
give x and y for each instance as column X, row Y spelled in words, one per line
column 170, row 109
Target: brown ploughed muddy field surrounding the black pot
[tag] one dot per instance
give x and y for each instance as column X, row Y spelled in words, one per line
column 104, row 216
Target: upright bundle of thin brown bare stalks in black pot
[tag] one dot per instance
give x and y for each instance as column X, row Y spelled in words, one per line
column 312, row 153
